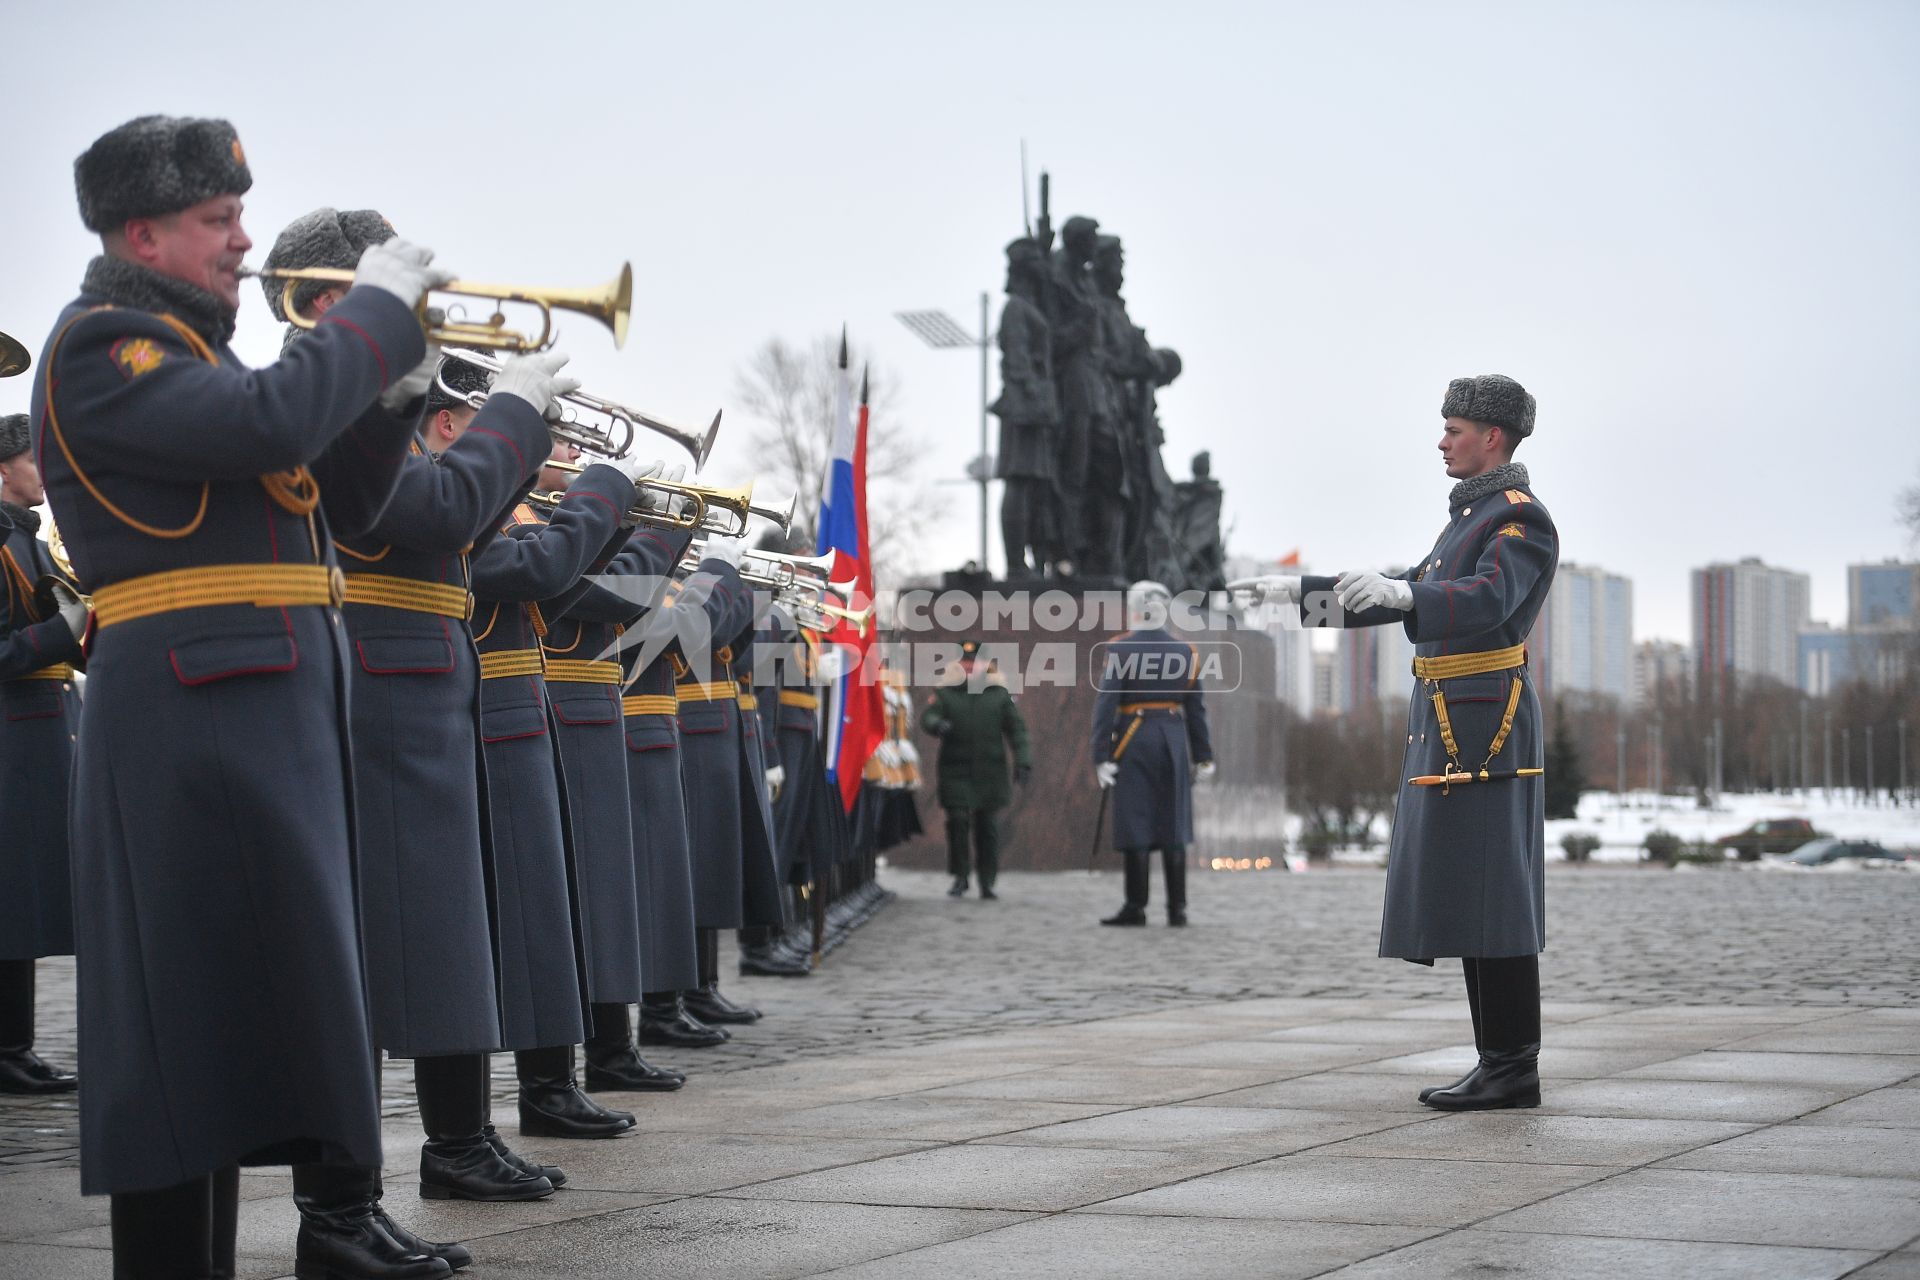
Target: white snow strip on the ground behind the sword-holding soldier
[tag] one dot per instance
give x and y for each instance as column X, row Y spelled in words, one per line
column 1623, row 822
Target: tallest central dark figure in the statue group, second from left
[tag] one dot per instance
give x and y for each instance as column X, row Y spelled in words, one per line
column 1082, row 391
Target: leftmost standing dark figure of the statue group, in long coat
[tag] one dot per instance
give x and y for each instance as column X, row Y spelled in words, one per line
column 1030, row 417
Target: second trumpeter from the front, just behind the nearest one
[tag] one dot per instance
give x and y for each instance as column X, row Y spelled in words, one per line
column 416, row 682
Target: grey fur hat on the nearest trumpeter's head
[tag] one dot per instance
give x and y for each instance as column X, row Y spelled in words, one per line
column 156, row 166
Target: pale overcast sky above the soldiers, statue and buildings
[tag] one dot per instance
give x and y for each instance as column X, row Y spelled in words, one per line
column 1692, row 229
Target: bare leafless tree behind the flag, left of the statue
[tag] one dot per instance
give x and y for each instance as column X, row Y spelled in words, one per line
column 790, row 394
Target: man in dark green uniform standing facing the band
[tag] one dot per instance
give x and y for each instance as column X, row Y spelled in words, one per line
column 976, row 721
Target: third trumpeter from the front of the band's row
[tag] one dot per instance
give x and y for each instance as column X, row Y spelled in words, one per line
column 540, row 918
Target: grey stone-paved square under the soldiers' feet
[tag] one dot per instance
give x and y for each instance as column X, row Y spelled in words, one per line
column 1009, row 1089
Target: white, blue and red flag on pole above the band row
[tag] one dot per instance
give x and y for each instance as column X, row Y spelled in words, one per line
column 857, row 711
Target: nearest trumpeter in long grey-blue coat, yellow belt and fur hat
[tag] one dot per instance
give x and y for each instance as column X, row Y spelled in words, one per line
column 224, row 1016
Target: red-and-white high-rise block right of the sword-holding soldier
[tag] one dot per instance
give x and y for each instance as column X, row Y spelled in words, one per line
column 1748, row 621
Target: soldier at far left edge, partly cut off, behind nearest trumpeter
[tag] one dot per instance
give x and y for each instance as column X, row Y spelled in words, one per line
column 39, row 646
